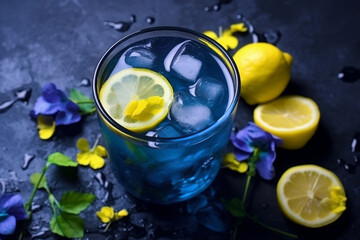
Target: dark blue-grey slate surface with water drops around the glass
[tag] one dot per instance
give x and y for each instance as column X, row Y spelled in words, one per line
column 61, row 41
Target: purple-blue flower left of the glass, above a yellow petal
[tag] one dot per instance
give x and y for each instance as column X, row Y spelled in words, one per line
column 54, row 102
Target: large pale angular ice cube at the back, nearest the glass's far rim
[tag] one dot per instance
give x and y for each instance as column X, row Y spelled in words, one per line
column 184, row 61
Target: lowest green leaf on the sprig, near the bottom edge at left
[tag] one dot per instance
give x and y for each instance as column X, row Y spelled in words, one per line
column 67, row 225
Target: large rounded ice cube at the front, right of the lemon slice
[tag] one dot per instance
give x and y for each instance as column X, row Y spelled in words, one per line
column 189, row 114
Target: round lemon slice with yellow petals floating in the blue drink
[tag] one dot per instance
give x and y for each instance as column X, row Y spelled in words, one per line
column 138, row 99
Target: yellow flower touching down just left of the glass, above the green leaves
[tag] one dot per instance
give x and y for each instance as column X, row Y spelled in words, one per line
column 93, row 157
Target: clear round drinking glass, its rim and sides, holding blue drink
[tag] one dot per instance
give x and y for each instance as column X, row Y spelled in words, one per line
column 166, row 170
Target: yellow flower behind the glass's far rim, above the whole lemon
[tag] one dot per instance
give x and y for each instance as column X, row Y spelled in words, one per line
column 226, row 38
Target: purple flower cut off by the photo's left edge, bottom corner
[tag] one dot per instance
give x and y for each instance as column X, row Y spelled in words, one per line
column 11, row 210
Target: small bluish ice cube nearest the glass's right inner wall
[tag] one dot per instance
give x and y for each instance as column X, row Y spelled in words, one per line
column 210, row 91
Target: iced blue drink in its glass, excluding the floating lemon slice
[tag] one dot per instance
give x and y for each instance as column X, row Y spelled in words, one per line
column 181, row 156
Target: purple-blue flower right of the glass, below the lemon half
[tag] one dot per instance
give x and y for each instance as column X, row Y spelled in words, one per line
column 253, row 142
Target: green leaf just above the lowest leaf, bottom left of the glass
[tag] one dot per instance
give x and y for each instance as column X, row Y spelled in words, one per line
column 74, row 202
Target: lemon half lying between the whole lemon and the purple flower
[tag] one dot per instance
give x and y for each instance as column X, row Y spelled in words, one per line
column 293, row 118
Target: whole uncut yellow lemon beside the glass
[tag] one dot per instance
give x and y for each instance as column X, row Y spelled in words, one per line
column 264, row 71
